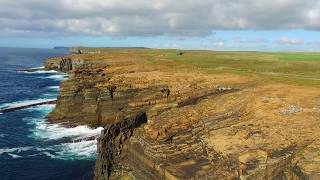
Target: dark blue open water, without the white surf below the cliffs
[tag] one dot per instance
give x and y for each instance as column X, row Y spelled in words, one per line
column 40, row 160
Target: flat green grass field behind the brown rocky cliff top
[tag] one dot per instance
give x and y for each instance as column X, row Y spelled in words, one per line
column 298, row 68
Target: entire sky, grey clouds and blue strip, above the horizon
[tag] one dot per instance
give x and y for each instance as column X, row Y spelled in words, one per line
column 244, row 25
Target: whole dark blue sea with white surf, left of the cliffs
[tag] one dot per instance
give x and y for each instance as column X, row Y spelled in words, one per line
column 29, row 147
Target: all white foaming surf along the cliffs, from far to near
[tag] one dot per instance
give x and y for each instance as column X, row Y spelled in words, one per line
column 78, row 142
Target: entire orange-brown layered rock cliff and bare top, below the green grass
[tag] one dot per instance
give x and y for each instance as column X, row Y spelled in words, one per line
column 161, row 123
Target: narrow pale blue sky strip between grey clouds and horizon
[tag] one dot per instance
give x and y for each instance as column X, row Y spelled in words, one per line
column 246, row 40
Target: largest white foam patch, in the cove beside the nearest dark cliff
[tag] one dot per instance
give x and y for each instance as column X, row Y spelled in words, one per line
column 82, row 143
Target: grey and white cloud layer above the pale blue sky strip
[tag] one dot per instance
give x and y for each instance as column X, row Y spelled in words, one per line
column 127, row 18
